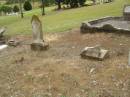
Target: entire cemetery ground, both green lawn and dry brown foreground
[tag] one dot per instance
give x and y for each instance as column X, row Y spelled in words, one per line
column 60, row 71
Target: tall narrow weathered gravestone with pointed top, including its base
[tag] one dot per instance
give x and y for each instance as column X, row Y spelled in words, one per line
column 38, row 42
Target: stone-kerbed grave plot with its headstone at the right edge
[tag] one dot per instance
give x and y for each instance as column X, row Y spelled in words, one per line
column 116, row 24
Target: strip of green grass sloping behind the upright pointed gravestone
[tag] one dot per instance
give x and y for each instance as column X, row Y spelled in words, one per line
column 58, row 21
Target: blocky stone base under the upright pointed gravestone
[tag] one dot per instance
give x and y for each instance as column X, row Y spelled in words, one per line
column 39, row 46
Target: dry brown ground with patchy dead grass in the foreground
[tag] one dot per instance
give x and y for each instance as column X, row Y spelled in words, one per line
column 60, row 71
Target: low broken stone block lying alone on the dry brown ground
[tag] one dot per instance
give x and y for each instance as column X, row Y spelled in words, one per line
column 94, row 52
